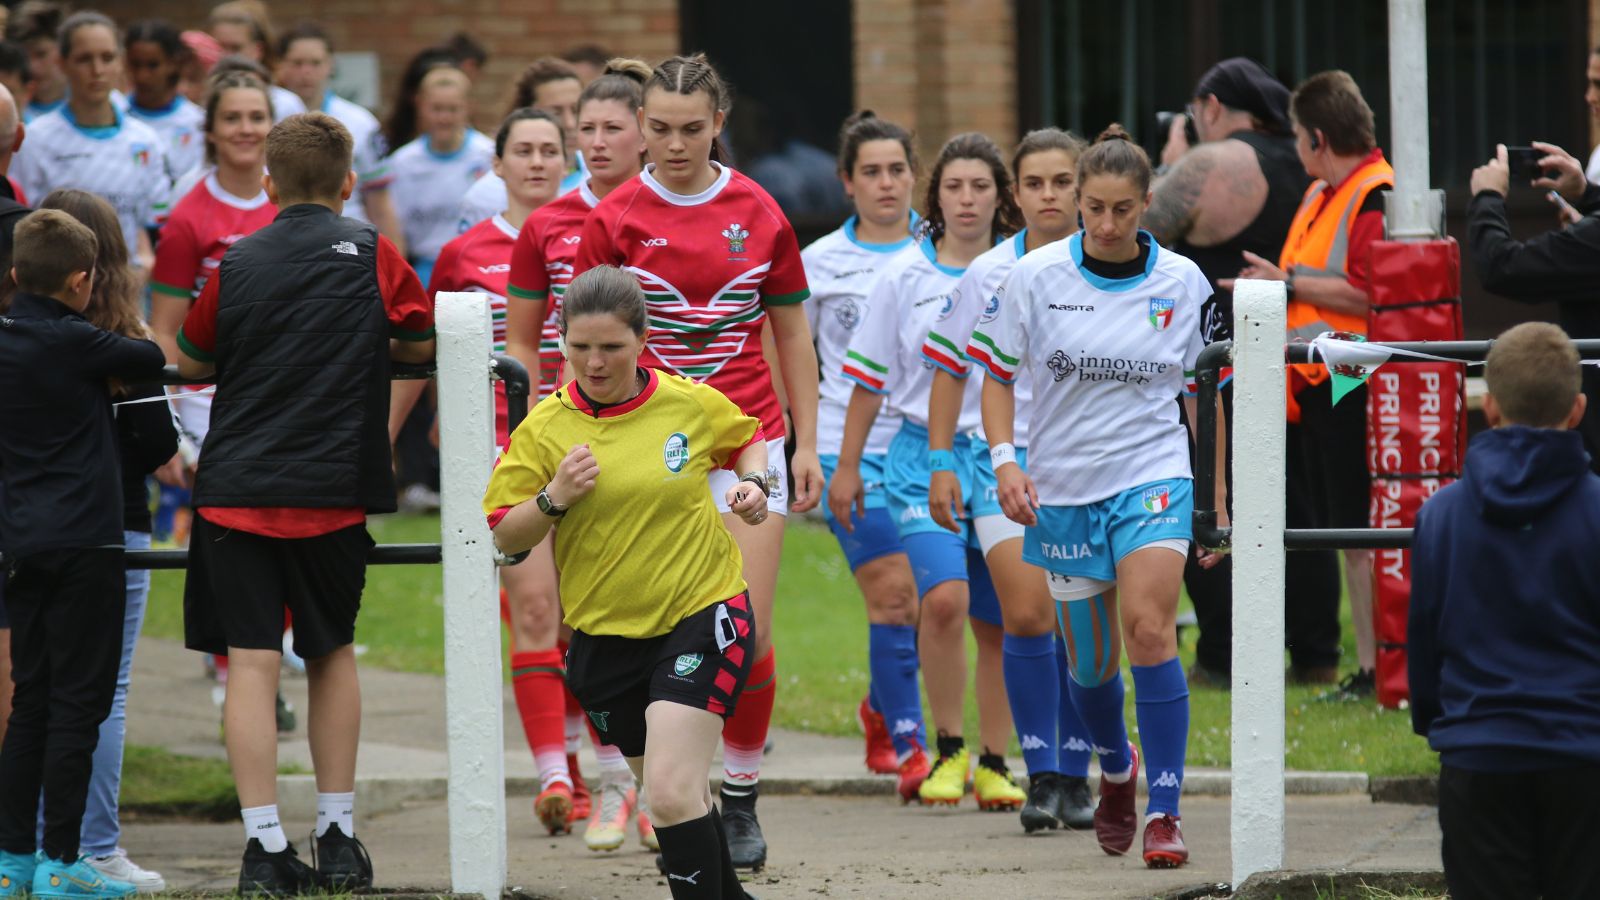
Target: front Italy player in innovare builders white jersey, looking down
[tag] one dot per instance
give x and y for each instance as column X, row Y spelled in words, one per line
column 1108, row 326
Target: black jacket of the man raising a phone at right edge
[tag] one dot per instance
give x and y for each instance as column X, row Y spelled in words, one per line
column 1561, row 267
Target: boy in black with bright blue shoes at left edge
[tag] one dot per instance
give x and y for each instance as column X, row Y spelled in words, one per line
column 63, row 542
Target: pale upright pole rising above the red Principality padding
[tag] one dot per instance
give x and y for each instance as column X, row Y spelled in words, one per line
column 1414, row 211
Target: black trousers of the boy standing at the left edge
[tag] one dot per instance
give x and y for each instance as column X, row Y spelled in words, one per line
column 66, row 616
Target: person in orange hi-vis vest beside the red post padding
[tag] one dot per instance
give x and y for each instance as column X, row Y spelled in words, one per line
column 1326, row 268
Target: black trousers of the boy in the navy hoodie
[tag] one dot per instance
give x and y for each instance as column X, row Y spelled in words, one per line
column 1521, row 835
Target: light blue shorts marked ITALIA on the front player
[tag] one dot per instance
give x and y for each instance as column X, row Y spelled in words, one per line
column 1089, row 542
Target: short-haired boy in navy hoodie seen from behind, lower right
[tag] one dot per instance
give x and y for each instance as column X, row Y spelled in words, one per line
column 1505, row 637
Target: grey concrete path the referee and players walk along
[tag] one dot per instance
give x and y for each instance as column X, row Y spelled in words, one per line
column 834, row 830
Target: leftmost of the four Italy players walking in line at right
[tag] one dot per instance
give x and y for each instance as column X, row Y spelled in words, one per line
column 879, row 169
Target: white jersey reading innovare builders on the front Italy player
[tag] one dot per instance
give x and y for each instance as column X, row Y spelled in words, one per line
column 1108, row 358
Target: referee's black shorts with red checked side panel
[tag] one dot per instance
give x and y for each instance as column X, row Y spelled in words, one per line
column 703, row 664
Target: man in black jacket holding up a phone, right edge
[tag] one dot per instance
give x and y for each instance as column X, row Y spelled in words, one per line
column 1561, row 265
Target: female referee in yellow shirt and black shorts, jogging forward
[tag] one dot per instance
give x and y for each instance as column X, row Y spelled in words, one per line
column 663, row 624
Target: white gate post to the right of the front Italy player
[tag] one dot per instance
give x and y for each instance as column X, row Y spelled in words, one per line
column 1260, row 321
